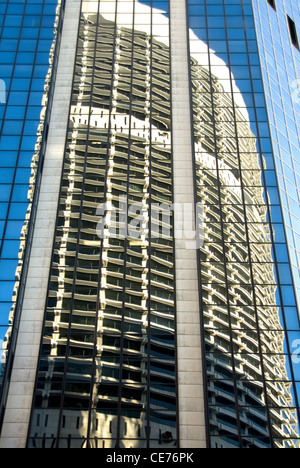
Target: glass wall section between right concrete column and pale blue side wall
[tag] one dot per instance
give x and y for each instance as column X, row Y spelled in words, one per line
column 249, row 310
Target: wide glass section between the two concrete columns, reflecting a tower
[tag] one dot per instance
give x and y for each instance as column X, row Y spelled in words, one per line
column 107, row 370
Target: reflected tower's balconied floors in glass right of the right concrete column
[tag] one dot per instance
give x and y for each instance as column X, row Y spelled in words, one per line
column 239, row 230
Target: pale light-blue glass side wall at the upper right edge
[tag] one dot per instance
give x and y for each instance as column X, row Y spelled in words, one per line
column 281, row 73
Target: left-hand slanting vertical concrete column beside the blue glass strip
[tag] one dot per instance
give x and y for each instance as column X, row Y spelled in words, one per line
column 18, row 409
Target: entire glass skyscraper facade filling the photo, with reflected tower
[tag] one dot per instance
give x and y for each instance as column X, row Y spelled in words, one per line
column 108, row 369
